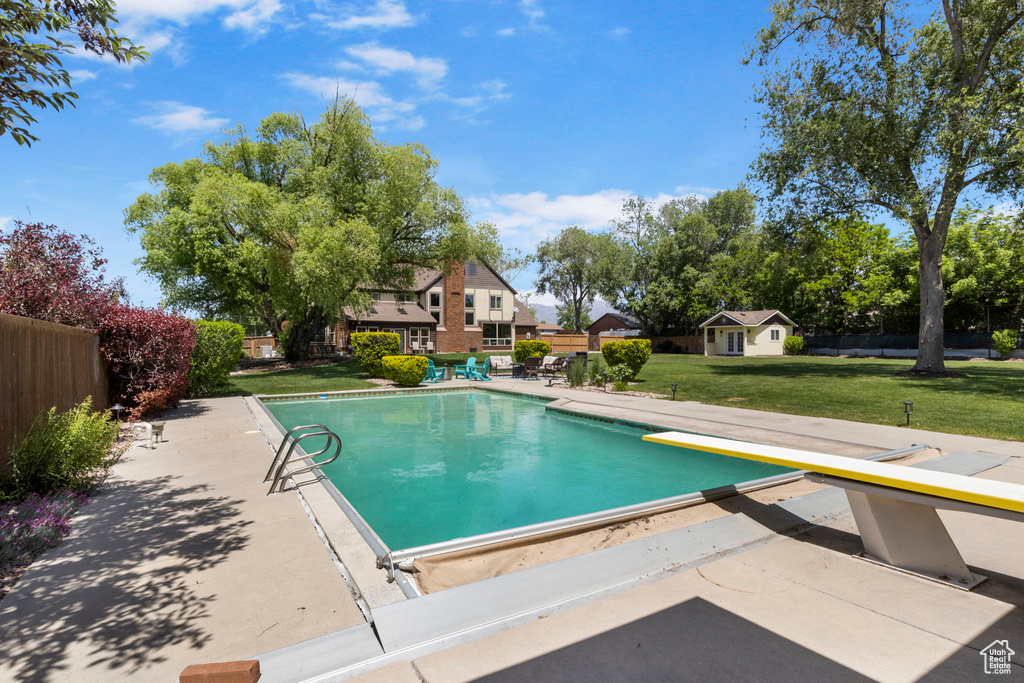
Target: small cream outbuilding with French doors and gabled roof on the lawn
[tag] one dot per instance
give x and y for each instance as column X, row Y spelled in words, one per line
column 747, row 333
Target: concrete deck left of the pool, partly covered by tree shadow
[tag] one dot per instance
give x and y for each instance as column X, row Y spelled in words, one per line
column 181, row 559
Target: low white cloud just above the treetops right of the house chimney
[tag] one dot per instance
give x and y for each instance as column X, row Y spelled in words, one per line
column 528, row 219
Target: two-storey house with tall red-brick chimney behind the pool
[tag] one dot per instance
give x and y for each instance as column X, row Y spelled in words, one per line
column 471, row 310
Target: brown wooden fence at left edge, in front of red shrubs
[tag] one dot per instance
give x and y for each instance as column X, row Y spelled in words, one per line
column 42, row 366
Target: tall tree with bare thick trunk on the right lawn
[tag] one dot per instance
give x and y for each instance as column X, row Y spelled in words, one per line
column 895, row 107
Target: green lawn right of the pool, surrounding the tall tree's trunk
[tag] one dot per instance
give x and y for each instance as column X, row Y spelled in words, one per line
column 989, row 402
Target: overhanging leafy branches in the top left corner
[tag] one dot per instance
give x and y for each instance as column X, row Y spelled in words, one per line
column 33, row 37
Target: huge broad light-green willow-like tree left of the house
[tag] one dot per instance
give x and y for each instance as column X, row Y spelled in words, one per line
column 291, row 224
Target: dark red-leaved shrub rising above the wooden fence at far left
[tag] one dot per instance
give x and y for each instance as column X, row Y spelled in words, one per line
column 53, row 276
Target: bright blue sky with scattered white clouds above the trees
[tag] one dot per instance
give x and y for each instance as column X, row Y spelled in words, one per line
column 542, row 113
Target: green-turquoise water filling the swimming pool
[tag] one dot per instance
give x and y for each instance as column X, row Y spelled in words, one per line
column 430, row 467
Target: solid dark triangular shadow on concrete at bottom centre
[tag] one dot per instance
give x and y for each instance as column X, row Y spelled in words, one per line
column 693, row 642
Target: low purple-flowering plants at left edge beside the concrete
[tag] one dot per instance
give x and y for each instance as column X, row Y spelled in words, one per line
column 35, row 525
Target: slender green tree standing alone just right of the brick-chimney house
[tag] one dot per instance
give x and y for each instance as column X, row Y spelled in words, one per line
column 570, row 267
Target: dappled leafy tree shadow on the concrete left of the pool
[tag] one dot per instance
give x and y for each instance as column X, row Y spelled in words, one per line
column 121, row 587
